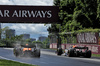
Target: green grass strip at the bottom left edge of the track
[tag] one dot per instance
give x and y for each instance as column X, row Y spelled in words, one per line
column 12, row 63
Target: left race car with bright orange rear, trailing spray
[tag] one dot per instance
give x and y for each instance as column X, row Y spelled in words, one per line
column 26, row 50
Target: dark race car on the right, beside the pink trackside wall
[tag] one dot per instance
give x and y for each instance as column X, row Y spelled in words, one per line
column 78, row 51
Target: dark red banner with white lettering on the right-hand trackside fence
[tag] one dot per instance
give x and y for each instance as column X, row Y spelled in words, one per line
column 87, row 38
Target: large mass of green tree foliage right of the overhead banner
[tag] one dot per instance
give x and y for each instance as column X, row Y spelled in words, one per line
column 77, row 16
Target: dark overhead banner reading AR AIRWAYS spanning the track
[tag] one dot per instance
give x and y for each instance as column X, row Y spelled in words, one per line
column 29, row 14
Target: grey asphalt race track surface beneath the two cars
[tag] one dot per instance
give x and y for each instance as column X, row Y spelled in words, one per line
column 49, row 58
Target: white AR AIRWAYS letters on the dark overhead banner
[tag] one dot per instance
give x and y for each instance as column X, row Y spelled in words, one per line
column 27, row 13
